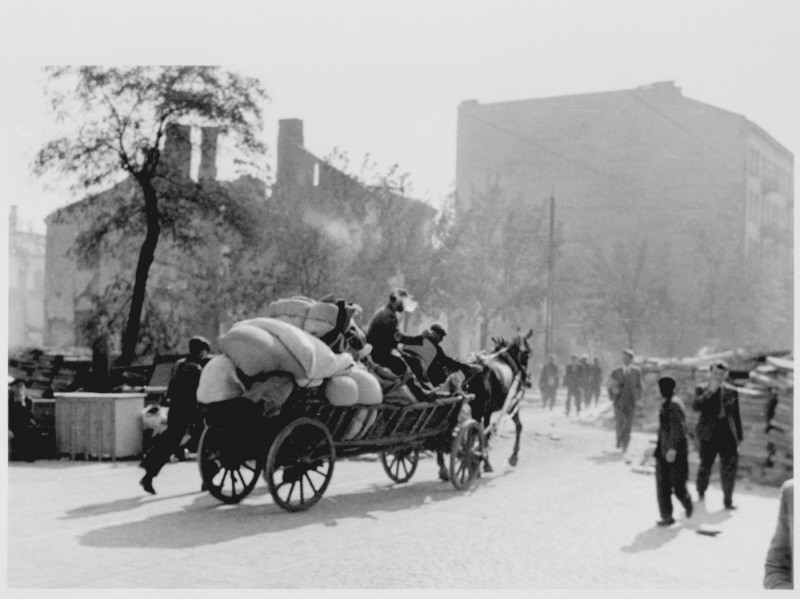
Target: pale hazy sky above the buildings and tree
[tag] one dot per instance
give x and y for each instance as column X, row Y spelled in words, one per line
column 386, row 78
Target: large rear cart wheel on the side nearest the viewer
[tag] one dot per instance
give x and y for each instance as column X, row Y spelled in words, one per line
column 300, row 464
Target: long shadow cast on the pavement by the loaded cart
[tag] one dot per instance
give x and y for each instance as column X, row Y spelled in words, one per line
column 206, row 521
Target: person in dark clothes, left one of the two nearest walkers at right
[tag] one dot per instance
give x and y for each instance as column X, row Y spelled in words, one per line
column 672, row 454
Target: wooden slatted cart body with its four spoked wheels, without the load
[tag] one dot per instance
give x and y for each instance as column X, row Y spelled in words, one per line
column 296, row 449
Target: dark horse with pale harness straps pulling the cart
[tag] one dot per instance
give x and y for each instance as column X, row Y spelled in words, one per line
column 498, row 386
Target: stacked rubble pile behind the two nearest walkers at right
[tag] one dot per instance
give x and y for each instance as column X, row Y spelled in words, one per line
column 766, row 390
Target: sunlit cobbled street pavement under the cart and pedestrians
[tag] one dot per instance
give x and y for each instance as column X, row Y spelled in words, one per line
column 571, row 515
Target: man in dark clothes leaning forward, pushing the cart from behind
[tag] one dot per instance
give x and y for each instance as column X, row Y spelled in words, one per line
column 182, row 397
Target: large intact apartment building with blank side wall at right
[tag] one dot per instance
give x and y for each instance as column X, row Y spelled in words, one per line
column 703, row 186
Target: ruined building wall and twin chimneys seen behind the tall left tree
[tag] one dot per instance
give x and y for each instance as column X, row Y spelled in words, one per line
column 72, row 287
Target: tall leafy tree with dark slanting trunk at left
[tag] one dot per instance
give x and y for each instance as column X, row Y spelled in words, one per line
column 121, row 116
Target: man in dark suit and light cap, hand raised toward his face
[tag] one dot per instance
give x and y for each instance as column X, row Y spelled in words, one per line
column 719, row 431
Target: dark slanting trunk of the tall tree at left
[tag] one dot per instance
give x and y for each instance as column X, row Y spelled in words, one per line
column 146, row 255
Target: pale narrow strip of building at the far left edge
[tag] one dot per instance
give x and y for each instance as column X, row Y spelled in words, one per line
column 26, row 260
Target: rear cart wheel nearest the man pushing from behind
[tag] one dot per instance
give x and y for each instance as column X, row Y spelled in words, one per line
column 229, row 471
